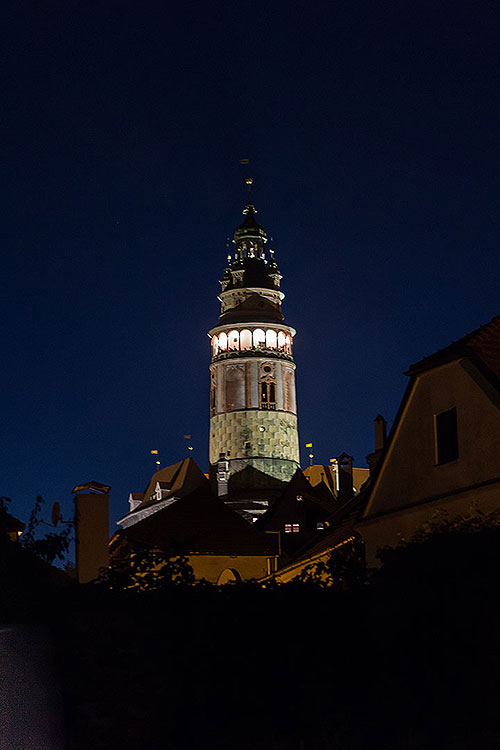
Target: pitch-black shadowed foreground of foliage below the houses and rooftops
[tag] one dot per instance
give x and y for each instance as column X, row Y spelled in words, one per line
column 408, row 660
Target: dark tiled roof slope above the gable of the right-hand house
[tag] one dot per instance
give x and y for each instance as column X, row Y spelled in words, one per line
column 484, row 342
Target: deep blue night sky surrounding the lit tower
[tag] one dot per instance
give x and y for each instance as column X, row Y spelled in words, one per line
column 372, row 132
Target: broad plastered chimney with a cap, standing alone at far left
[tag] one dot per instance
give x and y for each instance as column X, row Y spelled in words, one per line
column 91, row 529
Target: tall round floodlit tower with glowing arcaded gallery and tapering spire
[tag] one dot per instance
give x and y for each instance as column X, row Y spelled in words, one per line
column 253, row 413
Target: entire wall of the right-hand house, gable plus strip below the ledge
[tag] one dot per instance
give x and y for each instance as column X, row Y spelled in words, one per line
column 410, row 475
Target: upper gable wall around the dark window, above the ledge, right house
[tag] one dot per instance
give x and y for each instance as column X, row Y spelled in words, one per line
column 410, row 473
